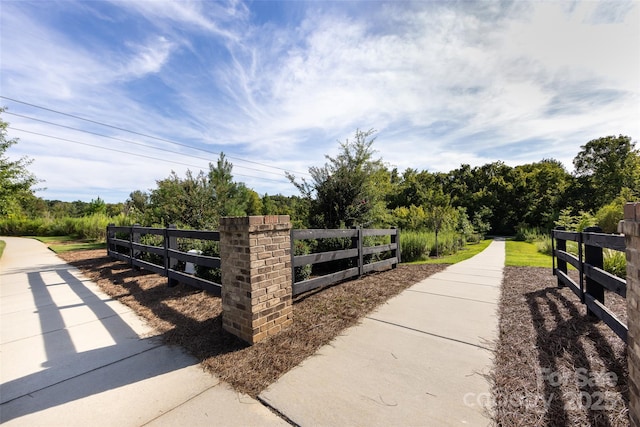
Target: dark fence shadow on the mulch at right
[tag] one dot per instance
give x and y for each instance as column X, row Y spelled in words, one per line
column 565, row 338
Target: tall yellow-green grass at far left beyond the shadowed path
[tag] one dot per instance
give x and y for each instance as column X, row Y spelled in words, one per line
column 93, row 227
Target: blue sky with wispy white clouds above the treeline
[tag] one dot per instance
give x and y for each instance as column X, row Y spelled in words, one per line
column 276, row 85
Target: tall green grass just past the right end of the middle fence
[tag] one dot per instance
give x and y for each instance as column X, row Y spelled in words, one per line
column 420, row 245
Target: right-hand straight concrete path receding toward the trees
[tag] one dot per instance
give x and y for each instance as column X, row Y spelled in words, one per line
column 419, row 360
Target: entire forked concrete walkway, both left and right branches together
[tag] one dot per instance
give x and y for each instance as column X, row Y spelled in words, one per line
column 70, row 355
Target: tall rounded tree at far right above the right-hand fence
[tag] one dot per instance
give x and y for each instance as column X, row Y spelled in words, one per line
column 608, row 165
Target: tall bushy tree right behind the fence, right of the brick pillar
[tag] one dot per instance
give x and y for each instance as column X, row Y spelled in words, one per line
column 349, row 189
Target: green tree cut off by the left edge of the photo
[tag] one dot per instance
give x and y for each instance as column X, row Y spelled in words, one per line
column 15, row 180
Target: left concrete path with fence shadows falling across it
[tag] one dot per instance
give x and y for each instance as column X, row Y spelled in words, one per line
column 70, row 355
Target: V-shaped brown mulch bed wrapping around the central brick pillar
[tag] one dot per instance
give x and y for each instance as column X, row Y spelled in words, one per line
column 192, row 319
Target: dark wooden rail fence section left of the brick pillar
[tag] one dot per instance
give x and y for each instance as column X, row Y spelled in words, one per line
column 124, row 243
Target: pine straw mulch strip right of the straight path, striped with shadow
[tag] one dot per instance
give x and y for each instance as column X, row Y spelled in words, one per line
column 553, row 366
